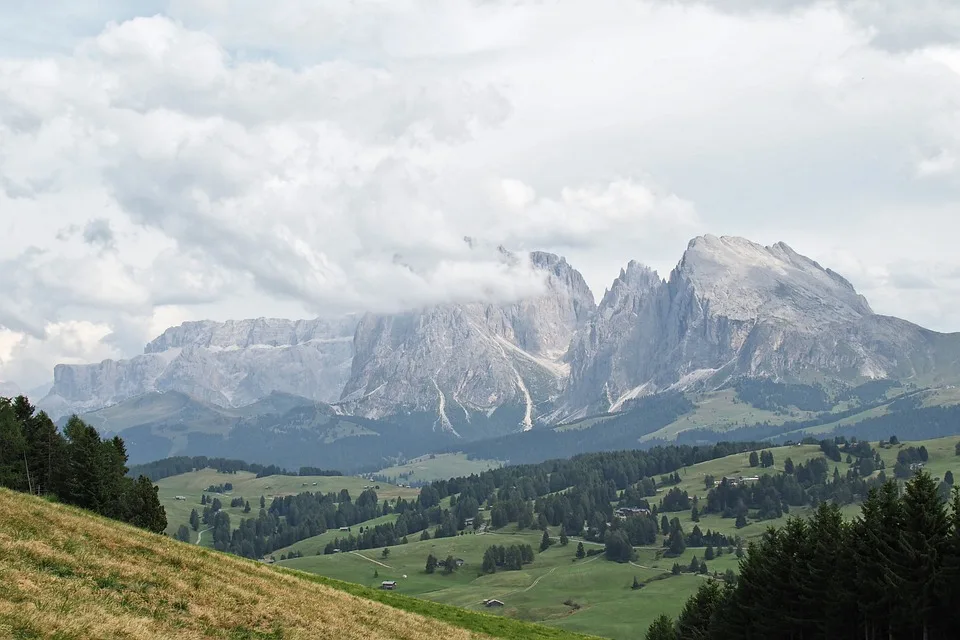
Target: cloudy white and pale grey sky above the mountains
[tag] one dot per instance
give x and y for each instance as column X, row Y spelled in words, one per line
column 164, row 161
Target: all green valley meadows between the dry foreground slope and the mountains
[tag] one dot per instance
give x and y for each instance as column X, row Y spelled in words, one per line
column 590, row 595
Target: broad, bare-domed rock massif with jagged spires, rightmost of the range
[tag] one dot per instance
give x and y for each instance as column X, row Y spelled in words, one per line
column 735, row 308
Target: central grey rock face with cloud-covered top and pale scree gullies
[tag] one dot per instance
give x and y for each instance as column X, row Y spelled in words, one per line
column 463, row 363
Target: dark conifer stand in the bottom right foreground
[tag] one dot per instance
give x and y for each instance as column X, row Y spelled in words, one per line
column 894, row 572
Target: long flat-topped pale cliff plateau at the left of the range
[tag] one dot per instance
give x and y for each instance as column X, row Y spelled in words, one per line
column 229, row 363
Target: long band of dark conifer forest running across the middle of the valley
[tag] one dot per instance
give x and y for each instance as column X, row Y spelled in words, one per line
column 590, row 484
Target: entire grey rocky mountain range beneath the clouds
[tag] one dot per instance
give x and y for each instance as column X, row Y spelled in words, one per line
column 731, row 310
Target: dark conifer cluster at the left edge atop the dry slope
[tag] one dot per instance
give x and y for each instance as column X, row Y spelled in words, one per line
column 75, row 467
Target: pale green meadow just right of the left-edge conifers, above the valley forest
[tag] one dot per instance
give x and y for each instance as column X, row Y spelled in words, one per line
column 193, row 485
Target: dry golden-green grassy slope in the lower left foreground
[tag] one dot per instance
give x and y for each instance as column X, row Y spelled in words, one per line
column 65, row 573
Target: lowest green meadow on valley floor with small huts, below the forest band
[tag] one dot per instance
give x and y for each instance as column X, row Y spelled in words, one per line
column 606, row 605
